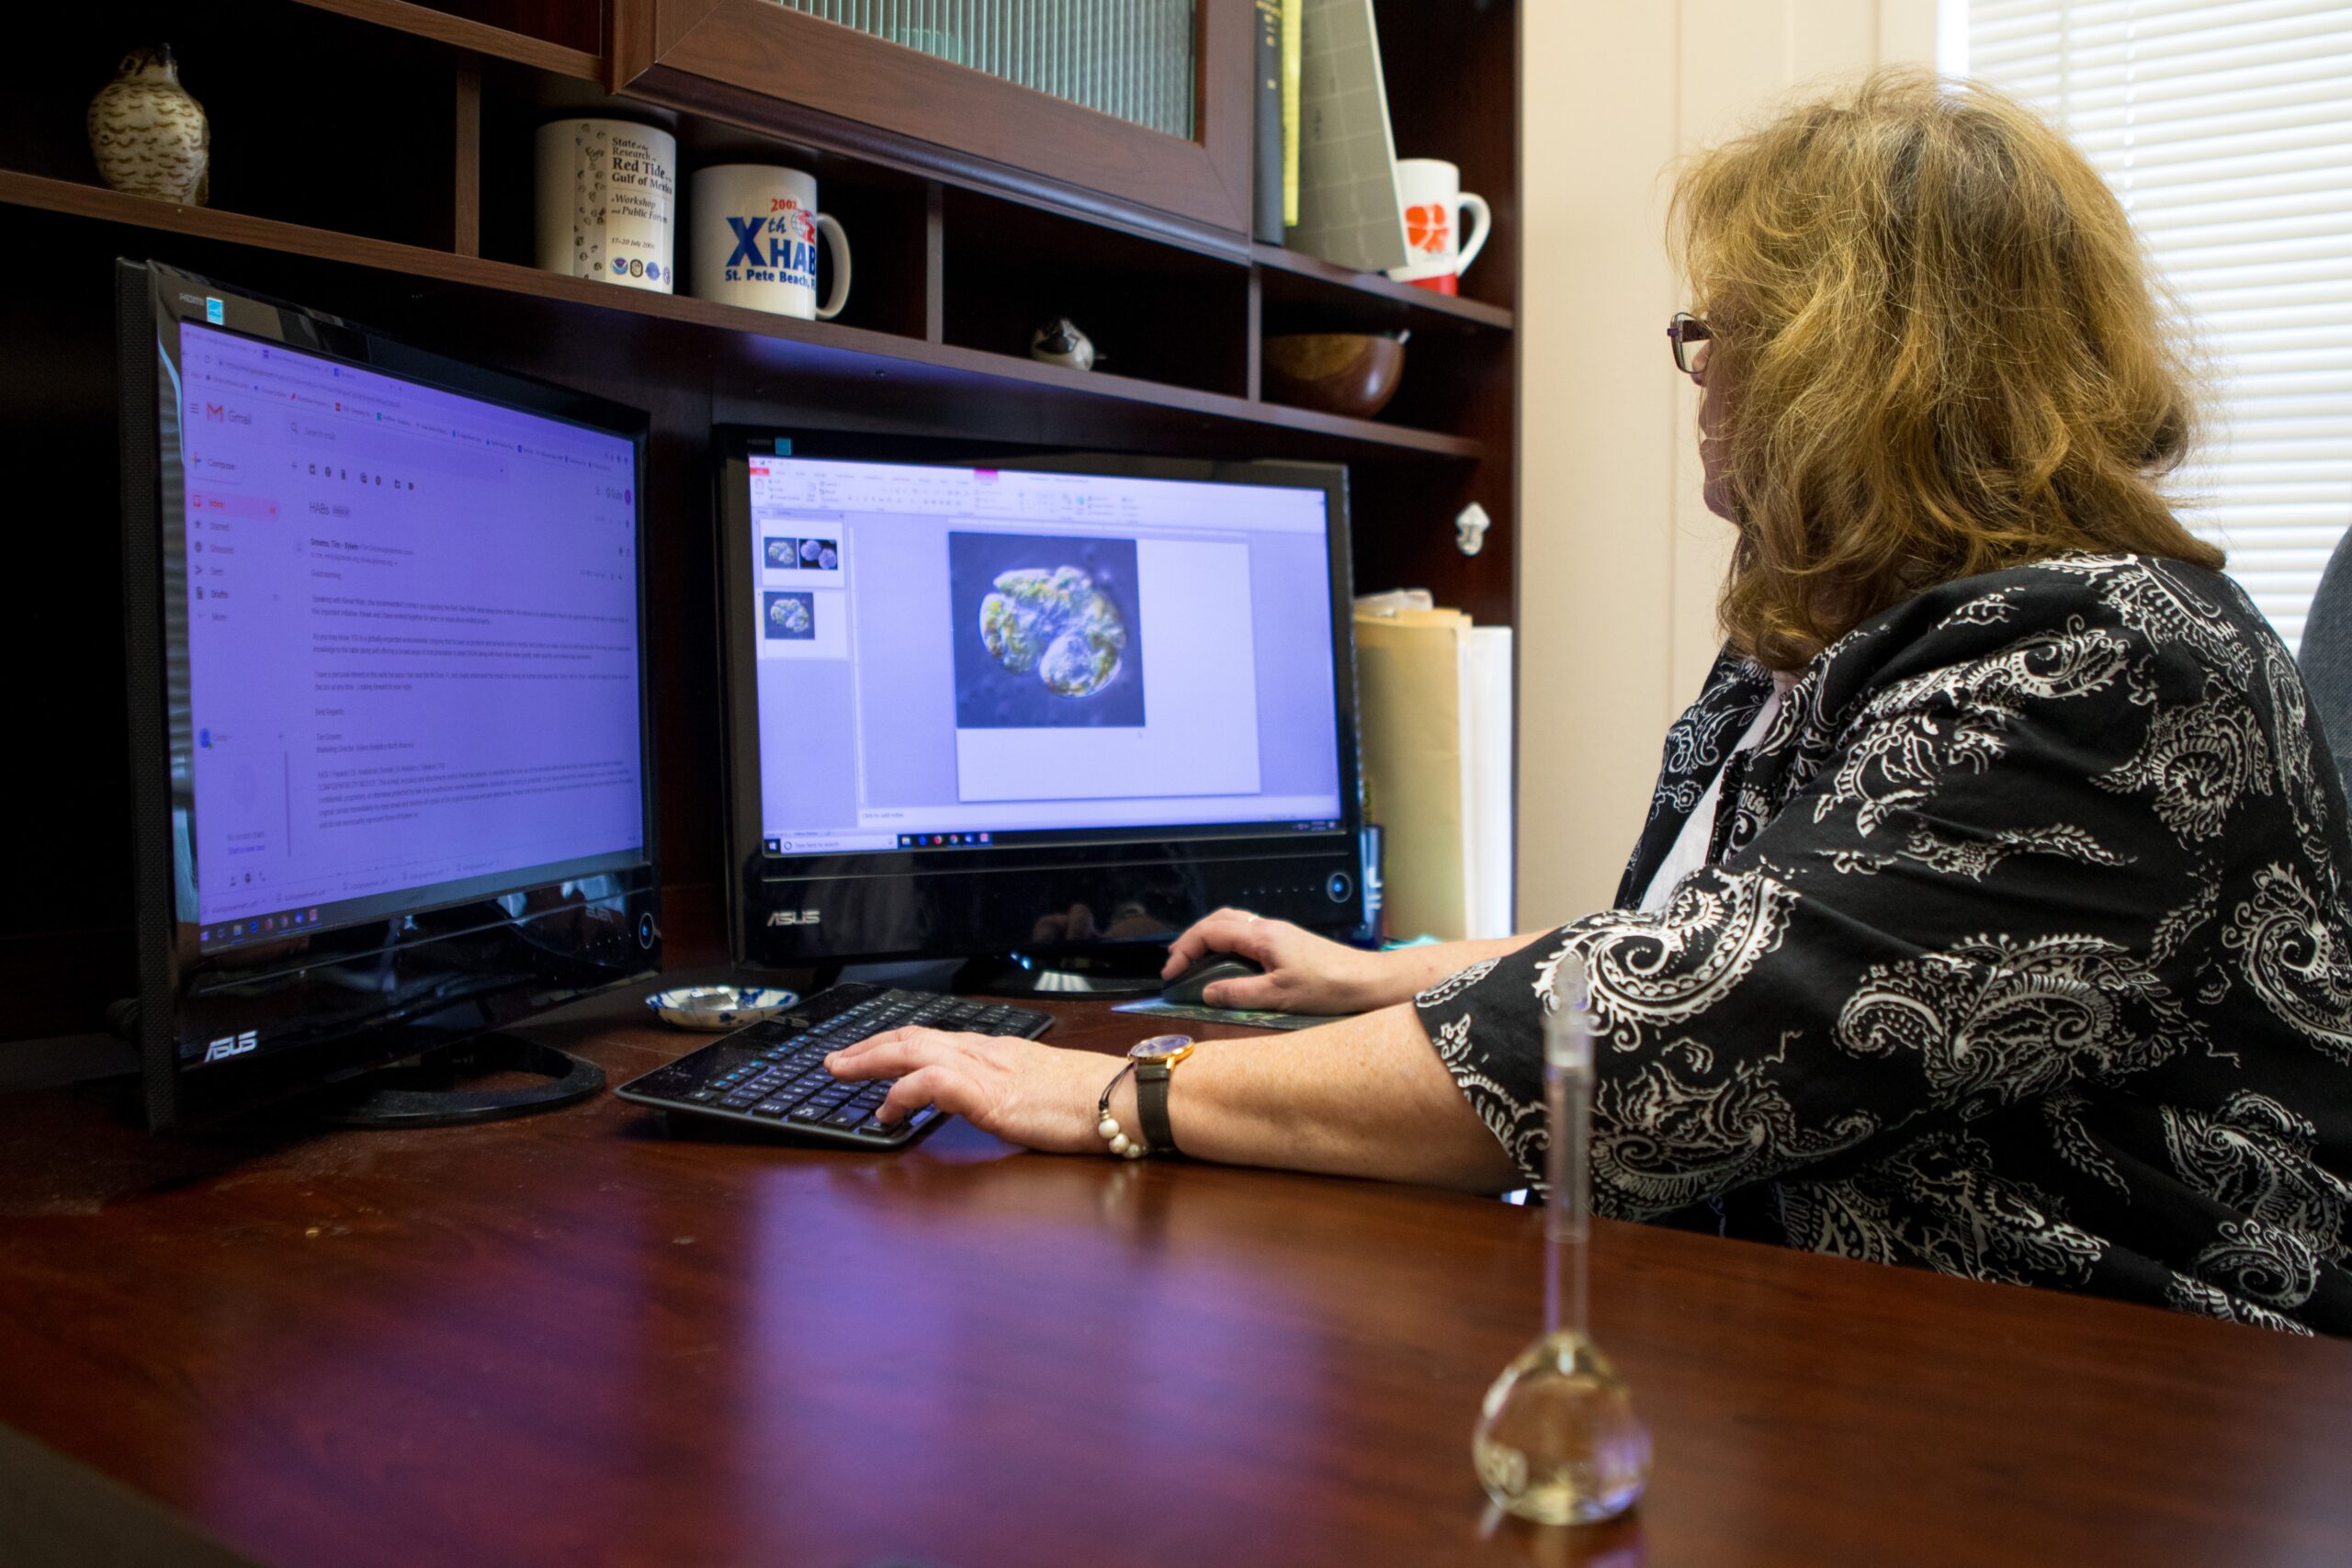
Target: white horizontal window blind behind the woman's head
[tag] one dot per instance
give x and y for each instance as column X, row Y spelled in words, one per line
column 2226, row 128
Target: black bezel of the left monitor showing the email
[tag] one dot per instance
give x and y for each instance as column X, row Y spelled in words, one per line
column 556, row 953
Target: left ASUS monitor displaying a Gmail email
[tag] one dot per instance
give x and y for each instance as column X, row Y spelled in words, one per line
column 392, row 760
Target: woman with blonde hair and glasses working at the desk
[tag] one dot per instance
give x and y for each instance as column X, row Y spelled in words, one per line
column 1991, row 909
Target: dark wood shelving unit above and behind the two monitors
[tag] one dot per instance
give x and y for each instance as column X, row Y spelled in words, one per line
column 375, row 159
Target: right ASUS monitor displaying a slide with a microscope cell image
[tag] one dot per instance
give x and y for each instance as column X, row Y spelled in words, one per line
column 1043, row 713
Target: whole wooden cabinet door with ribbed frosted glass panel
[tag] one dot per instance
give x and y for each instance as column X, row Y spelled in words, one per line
column 1128, row 109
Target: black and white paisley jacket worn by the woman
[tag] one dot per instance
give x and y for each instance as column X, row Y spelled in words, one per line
column 2024, row 956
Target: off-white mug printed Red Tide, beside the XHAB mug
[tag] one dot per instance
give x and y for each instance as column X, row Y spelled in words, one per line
column 608, row 196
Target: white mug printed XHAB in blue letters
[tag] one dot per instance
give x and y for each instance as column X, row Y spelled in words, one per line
column 756, row 241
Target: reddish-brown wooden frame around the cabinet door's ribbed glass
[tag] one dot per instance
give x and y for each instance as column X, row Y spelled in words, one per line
column 831, row 83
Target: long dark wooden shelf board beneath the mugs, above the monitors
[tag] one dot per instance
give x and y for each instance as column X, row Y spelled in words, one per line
column 824, row 349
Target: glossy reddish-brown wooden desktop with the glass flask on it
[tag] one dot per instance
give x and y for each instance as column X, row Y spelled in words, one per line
column 570, row 1341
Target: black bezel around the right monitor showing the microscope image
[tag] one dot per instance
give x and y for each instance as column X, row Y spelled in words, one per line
column 770, row 899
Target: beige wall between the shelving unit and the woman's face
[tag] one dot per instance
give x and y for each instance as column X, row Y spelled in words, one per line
column 1619, row 558
